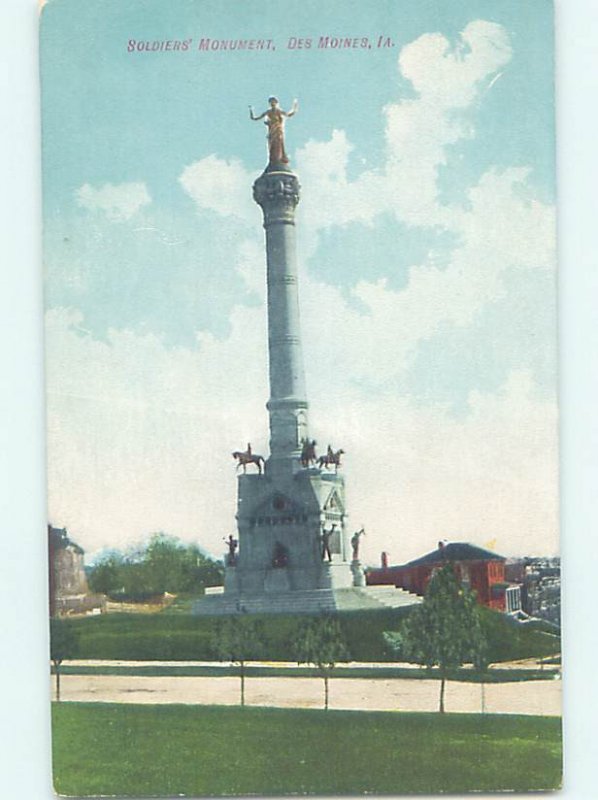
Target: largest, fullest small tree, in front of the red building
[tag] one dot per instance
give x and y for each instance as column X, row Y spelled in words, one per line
column 445, row 631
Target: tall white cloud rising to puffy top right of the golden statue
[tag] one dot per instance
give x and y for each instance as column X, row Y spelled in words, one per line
column 418, row 130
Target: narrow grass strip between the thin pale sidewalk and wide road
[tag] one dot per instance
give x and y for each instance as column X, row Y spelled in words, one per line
column 375, row 673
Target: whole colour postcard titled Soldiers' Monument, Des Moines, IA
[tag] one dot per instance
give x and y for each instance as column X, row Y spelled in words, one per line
column 301, row 397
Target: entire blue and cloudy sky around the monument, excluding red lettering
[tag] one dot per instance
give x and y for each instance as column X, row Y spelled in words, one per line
column 426, row 249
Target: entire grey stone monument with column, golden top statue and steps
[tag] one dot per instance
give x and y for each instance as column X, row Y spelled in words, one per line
column 292, row 551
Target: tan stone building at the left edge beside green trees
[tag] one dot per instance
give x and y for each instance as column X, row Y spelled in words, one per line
column 69, row 592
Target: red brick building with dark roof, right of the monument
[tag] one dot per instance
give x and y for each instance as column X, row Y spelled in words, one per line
column 481, row 570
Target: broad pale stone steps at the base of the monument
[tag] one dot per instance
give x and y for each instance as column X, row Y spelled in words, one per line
column 305, row 602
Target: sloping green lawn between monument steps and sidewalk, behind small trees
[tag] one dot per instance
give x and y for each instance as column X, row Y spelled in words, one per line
column 181, row 637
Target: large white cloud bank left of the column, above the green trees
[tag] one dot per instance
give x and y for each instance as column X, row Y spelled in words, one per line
column 140, row 436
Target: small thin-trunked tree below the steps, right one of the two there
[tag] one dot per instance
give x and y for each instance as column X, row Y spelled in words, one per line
column 320, row 642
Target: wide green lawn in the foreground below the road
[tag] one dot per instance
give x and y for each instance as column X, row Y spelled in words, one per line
column 111, row 749
